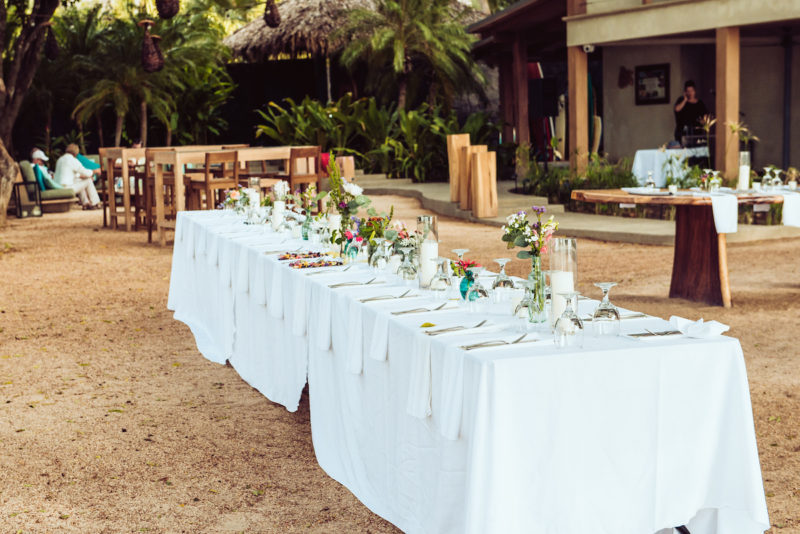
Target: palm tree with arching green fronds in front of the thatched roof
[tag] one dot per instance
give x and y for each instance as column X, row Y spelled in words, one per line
column 412, row 37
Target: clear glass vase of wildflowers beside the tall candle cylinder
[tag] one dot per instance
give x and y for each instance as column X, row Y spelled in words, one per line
column 534, row 236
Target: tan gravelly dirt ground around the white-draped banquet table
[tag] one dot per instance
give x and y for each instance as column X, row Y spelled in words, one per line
column 111, row 421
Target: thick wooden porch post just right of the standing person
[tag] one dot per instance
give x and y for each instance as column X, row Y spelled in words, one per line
column 727, row 142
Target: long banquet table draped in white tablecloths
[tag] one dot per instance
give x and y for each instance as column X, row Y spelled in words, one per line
column 620, row 436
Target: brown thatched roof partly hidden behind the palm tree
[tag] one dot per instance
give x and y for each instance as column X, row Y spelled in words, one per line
column 306, row 28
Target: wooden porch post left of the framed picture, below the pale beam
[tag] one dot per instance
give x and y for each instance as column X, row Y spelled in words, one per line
column 578, row 109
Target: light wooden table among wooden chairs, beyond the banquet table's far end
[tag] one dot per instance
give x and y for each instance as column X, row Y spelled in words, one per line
column 180, row 157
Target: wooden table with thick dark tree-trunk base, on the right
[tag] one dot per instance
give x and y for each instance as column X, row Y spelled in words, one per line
column 700, row 260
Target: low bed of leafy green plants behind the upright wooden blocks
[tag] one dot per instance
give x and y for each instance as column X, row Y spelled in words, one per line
column 397, row 142
